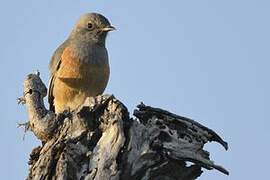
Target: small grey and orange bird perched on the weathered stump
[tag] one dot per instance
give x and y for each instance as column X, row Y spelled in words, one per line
column 79, row 67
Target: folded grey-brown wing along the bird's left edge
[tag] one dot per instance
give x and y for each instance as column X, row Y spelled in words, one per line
column 54, row 66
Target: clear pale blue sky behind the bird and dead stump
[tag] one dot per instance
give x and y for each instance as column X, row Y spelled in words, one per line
column 207, row 60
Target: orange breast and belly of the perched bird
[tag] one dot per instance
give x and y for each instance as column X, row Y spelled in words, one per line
column 76, row 80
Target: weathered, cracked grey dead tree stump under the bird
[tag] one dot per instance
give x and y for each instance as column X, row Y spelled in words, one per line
column 100, row 141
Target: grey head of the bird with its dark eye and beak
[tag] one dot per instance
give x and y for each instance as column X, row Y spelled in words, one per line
column 92, row 27
